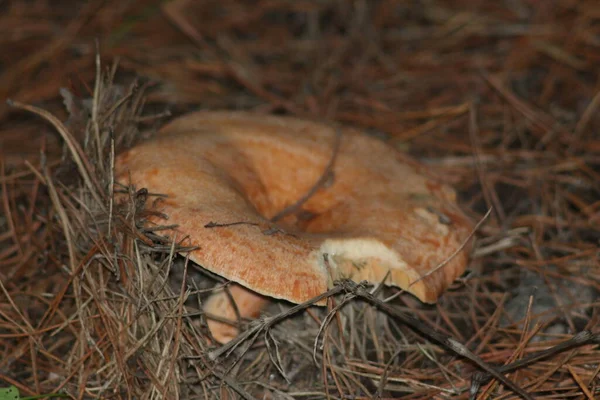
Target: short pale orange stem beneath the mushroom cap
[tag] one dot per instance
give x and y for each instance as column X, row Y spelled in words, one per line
column 219, row 304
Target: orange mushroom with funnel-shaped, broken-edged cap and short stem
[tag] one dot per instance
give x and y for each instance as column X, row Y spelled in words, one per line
column 381, row 217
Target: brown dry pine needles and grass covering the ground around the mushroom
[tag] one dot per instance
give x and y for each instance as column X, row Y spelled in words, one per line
column 500, row 98
